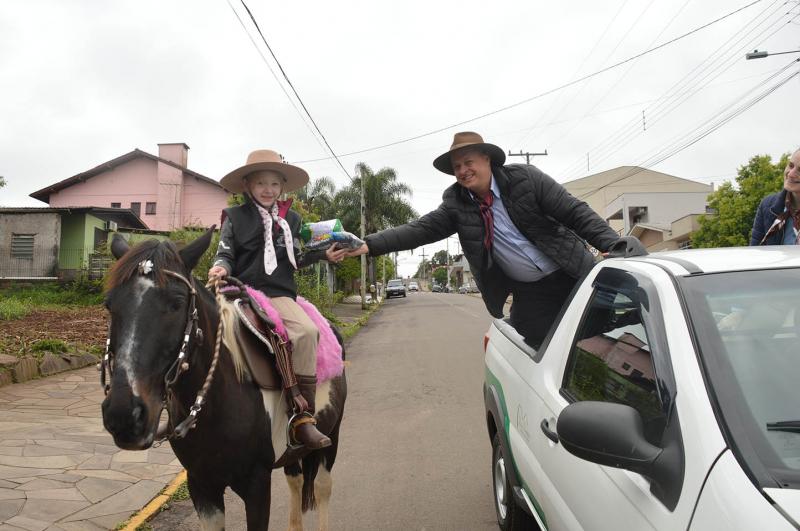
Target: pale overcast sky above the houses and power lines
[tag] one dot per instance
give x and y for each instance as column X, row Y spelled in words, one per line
column 82, row 82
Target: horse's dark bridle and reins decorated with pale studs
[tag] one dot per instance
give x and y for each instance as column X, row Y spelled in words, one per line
column 178, row 367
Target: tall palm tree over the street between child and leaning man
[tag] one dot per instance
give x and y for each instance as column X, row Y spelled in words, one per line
column 385, row 203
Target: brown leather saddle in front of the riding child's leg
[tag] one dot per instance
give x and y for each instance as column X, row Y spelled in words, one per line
column 256, row 348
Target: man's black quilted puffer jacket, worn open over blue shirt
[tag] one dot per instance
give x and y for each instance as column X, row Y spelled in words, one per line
column 543, row 211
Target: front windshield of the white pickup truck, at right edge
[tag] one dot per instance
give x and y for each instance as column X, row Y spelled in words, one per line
column 747, row 326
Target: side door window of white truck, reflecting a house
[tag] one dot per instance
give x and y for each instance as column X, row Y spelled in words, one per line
column 611, row 360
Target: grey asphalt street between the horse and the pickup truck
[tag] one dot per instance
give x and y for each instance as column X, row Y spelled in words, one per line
column 414, row 453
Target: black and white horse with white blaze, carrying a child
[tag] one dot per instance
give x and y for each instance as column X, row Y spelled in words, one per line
column 161, row 348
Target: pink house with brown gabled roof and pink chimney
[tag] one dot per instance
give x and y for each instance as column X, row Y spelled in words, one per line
column 161, row 190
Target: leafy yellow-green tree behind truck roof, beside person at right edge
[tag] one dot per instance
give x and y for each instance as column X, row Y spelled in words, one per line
column 735, row 207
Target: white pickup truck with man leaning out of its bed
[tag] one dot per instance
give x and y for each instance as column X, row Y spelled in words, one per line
column 666, row 396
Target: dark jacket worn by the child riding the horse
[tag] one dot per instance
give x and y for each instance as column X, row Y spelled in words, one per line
column 241, row 249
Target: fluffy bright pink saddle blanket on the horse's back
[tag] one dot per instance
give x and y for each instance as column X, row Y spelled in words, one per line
column 329, row 351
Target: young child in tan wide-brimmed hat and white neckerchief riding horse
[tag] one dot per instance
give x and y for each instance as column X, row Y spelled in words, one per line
column 259, row 244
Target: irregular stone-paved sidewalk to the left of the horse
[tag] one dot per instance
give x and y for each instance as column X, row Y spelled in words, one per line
column 59, row 469
